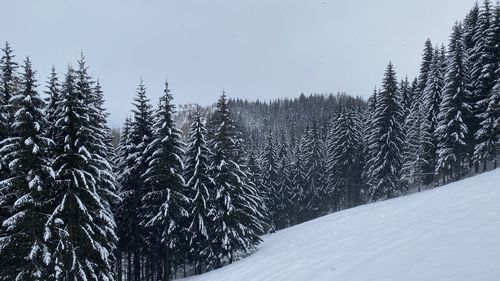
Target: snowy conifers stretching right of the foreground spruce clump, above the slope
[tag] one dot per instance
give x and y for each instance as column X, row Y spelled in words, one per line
column 320, row 154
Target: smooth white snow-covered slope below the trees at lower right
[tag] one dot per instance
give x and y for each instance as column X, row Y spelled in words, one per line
column 449, row 233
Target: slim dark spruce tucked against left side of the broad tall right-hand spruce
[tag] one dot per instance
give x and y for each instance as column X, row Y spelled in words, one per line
column 431, row 100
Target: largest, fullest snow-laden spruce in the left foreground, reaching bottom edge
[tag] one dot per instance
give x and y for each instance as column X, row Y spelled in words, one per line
column 82, row 226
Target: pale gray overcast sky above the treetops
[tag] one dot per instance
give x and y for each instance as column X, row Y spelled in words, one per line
column 254, row 49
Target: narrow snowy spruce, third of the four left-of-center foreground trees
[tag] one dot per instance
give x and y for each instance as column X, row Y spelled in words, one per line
column 200, row 188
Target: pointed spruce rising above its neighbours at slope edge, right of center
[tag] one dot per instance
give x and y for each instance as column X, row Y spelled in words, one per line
column 388, row 132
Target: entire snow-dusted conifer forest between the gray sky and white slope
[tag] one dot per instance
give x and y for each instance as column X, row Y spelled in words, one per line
column 187, row 191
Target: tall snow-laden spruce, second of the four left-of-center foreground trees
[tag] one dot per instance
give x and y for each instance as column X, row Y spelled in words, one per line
column 165, row 201
